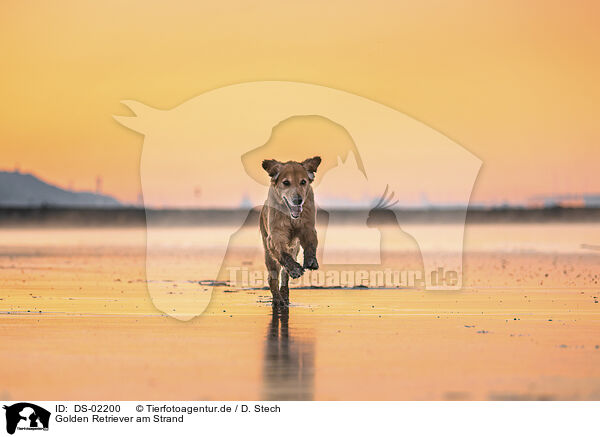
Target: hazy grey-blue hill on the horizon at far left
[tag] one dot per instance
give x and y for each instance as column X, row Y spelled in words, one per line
column 25, row 190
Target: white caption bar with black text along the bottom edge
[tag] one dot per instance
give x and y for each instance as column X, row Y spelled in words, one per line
column 141, row 418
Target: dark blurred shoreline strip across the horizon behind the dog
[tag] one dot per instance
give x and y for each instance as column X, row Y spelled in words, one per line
column 132, row 217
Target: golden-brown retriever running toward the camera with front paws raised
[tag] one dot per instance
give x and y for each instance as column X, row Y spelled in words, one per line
column 287, row 221
